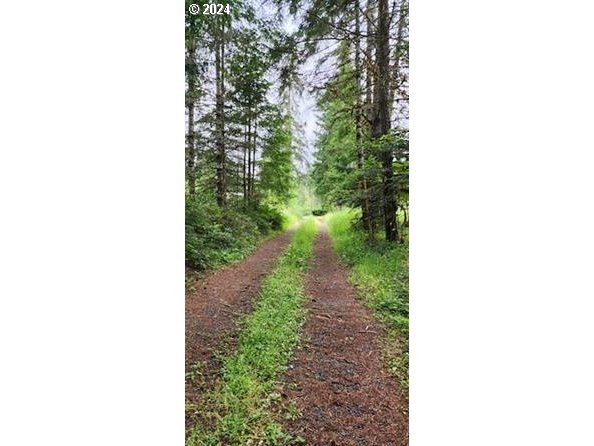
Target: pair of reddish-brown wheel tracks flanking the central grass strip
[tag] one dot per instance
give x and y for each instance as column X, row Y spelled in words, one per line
column 337, row 388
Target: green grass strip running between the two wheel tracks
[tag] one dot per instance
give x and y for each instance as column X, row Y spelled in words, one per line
column 239, row 405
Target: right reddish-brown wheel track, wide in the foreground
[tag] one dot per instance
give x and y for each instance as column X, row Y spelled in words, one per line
column 338, row 380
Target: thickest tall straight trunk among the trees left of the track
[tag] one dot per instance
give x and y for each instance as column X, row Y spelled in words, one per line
column 221, row 191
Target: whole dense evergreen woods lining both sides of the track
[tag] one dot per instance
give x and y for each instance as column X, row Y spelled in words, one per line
column 244, row 75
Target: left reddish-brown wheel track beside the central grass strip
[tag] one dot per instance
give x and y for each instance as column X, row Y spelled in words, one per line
column 213, row 308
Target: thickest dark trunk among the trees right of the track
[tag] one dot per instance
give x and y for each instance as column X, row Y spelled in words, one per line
column 381, row 122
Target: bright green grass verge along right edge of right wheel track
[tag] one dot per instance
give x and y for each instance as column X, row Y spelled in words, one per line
column 380, row 272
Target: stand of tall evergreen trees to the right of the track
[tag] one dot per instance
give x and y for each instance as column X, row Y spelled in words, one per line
column 362, row 152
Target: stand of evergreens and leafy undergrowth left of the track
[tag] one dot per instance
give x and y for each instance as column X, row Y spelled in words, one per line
column 240, row 142
